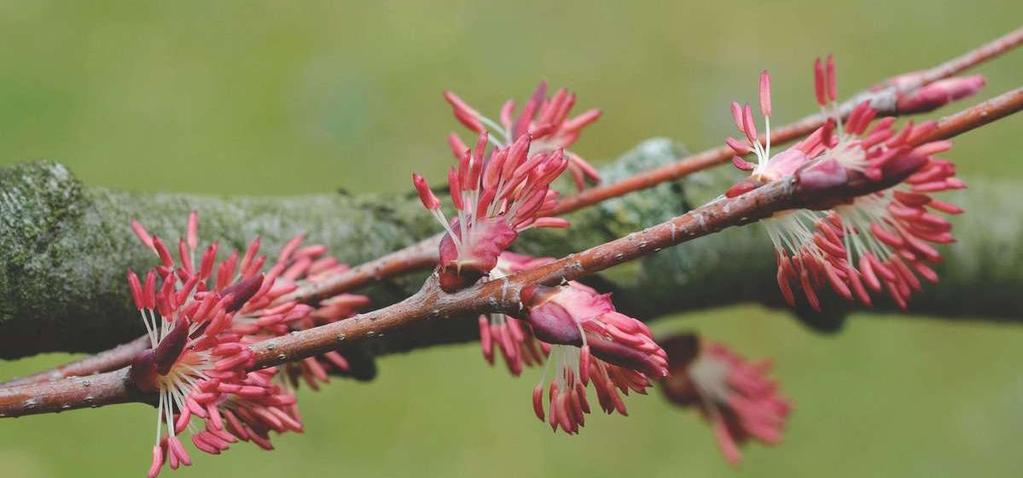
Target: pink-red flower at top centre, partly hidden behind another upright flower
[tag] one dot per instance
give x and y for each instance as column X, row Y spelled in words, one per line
column 545, row 119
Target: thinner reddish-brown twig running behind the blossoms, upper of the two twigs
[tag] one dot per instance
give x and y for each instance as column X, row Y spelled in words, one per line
column 423, row 255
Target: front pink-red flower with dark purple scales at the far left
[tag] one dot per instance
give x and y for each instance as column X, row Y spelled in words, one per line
column 197, row 362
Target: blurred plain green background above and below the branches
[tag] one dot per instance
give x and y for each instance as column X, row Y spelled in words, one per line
column 287, row 98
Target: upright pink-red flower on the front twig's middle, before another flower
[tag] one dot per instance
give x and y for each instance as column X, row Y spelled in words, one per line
column 497, row 197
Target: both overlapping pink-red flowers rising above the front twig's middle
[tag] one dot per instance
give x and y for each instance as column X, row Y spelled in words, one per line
column 502, row 191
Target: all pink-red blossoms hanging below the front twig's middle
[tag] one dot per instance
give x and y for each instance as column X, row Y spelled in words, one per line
column 579, row 332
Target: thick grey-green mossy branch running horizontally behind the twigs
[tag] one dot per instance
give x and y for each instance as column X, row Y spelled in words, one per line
column 65, row 249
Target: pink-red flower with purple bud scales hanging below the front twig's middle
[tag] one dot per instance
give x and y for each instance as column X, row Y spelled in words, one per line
column 590, row 342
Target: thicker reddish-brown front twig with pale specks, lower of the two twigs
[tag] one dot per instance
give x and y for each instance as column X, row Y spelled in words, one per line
column 502, row 295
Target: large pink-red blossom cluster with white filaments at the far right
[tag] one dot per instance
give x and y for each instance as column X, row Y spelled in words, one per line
column 857, row 245
